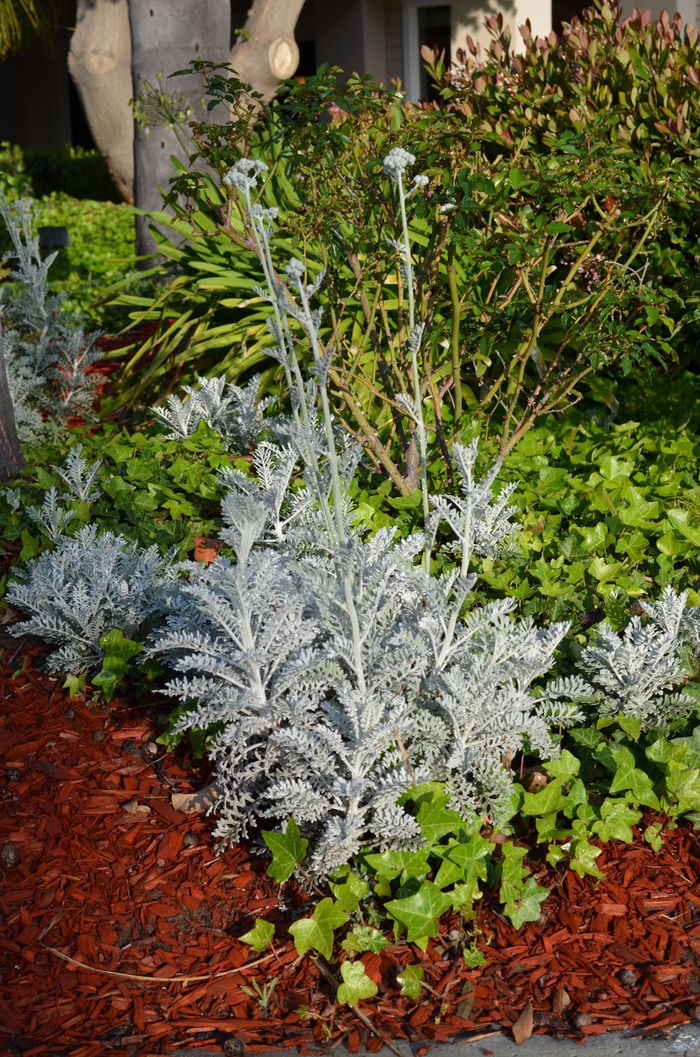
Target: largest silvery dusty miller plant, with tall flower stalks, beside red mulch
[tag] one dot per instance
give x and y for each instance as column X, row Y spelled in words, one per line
column 338, row 671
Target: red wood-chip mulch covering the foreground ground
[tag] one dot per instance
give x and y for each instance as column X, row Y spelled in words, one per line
column 122, row 894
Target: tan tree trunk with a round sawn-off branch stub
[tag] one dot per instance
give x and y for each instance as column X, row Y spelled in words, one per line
column 267, row 52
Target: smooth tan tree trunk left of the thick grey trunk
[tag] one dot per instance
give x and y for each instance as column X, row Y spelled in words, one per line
column 100, row 62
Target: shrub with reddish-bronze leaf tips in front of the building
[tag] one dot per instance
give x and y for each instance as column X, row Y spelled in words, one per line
column 633, row 81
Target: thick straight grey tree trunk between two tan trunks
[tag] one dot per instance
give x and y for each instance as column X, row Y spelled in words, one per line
column 165, row 36
